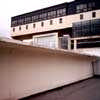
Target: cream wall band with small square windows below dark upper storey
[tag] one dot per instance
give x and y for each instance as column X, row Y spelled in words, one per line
column 67, row 22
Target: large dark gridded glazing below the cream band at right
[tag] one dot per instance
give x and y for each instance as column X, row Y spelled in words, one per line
column 86, row 28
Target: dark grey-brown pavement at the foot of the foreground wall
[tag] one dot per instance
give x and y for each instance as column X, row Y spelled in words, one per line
column 85, row 90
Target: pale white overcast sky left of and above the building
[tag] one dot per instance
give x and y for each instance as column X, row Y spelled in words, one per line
column 9, row 8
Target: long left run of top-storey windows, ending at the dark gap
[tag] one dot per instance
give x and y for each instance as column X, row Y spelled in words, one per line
column 39, row 17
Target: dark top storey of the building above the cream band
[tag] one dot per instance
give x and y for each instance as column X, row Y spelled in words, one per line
column 60, row 10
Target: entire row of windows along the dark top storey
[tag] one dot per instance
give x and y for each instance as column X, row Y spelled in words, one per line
column 53, row 14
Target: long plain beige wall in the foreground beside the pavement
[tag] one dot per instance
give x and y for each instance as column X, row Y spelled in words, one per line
column 26, row 70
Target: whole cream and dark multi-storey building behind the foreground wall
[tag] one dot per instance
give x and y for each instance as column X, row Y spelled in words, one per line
column 78, row 21
